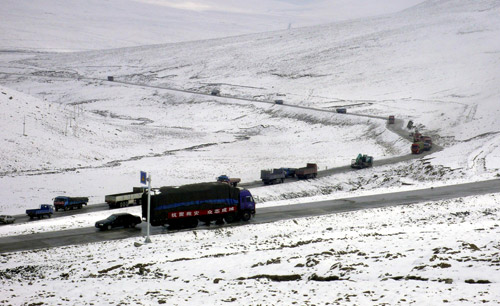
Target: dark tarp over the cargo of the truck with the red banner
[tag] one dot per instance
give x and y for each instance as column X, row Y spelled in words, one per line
column 190, row 197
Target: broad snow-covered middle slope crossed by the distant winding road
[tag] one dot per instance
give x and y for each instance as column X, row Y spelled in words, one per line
column 435, row 64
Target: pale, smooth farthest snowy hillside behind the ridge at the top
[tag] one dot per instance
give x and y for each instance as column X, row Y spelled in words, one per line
column 74, row 25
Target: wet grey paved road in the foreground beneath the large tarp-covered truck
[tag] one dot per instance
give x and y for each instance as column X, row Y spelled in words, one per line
column 264, row 215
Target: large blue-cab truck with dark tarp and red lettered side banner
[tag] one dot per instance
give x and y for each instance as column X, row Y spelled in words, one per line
column 184, row 206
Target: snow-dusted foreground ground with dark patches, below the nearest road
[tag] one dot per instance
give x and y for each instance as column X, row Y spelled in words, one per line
column 435, row 253
